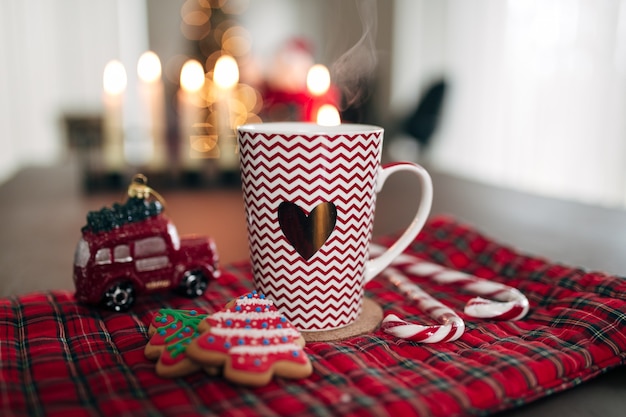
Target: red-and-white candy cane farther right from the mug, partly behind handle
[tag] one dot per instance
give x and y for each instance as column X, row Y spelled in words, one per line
column 495, row 301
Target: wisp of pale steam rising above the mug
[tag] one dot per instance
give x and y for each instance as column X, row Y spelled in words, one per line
column 352, row 70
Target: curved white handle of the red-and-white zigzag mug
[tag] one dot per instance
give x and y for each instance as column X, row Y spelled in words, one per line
column 374, row 266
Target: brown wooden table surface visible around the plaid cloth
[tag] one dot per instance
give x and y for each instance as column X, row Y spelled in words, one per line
column 42, row 210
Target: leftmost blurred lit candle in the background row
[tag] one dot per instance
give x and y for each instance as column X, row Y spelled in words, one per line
column 114, row 82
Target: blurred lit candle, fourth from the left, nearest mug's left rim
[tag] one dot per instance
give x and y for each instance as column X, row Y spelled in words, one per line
column 226, row 77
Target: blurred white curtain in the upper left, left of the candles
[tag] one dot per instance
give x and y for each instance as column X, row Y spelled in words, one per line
column 52, row 54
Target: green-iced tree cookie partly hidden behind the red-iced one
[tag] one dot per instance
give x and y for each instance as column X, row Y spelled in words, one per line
column 170, row 333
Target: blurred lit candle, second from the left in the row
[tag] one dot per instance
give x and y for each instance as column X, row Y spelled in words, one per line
column 152, row 103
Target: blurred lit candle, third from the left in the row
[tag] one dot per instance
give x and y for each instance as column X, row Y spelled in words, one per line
column 191, row 82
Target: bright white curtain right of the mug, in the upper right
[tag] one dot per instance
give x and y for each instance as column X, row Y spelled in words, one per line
column 537, row 96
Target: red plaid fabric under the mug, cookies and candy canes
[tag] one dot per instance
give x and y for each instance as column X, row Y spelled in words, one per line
column 59, row 358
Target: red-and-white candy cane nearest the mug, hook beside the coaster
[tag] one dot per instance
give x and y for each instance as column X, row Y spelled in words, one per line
column 450, row 329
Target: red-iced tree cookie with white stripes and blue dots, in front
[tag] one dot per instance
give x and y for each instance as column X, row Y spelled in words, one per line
column 252, row 341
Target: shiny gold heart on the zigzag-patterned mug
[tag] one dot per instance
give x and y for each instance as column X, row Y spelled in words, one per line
column 307, row 233
